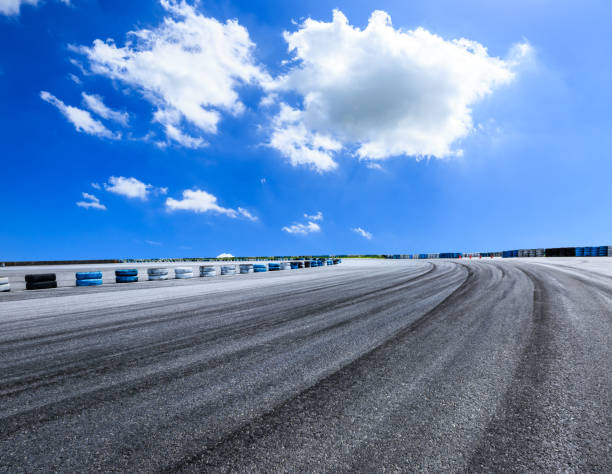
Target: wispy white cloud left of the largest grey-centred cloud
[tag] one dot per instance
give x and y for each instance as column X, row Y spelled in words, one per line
column 190, row 68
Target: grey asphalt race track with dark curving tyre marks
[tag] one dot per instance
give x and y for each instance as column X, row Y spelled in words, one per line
column 489, row 365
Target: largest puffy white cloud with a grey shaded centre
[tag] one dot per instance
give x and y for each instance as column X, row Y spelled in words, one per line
column 380, row 91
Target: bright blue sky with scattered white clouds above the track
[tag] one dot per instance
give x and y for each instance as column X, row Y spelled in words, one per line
column 202, row 133
